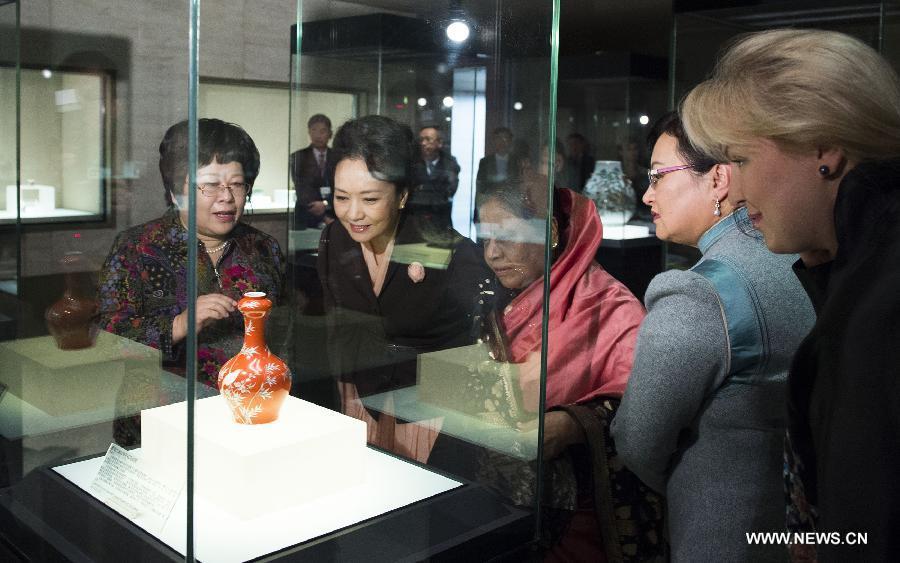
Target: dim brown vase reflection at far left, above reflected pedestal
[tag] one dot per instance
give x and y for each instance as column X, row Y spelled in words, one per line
column 71, row 319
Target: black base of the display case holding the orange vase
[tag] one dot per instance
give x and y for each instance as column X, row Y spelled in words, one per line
column 47, row 518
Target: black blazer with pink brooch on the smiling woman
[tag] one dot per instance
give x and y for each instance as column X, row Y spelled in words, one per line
column 374, row 340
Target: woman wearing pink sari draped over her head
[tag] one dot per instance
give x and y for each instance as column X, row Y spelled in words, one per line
column 593, row 323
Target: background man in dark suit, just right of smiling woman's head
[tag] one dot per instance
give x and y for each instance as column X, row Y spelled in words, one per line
column 436, row 177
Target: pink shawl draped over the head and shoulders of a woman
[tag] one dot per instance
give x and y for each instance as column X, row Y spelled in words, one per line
column 593, row 322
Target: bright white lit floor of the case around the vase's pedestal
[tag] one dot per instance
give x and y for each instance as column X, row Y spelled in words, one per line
column 387, row 484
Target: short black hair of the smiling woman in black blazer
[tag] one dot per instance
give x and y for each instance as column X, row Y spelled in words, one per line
column 386, row 146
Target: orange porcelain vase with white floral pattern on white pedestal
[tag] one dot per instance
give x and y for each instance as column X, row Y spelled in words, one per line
column 255, row 382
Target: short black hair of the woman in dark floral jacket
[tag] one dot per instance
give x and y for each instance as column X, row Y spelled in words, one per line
column 216, row 140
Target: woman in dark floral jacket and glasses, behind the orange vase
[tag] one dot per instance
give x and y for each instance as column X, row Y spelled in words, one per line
column 142, row 291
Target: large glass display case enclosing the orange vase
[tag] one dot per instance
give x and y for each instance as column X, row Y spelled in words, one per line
column 135, row 413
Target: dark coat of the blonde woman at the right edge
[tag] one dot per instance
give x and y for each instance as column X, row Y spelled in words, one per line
column 844, row 386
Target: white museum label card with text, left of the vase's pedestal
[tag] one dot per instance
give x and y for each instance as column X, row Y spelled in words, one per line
column 134, row 493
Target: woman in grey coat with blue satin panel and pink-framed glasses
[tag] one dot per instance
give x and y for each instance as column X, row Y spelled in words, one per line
column 702, row 416
